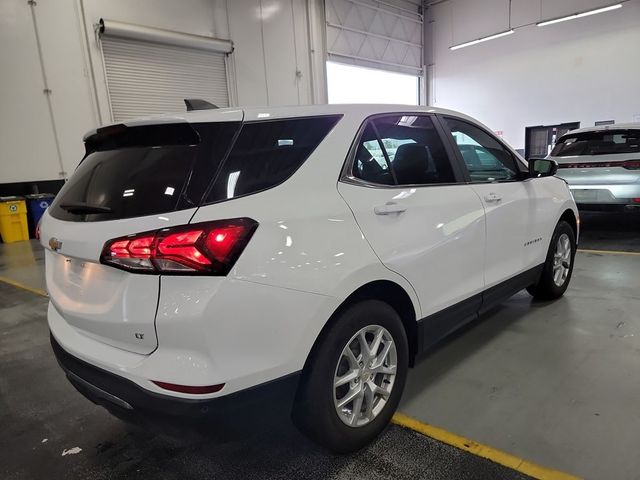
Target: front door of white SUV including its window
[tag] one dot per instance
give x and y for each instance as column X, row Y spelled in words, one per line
column 510, row 202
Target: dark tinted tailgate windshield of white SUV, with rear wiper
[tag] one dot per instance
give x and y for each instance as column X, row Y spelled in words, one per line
column 138, row 171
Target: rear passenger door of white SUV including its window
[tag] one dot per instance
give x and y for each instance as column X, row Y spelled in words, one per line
column 416, row 212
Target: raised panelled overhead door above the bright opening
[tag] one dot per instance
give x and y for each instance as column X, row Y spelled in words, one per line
column 375, row 34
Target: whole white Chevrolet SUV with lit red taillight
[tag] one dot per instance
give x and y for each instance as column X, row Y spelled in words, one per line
column 197, row 260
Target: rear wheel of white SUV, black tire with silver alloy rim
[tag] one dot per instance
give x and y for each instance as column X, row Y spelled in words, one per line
column 354, row 378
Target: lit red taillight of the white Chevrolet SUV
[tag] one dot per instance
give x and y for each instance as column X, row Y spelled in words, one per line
column 210, row 248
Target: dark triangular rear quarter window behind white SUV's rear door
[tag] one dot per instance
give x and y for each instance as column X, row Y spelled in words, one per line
column 267, row 153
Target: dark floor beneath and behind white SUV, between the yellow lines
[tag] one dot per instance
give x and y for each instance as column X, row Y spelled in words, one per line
column 42, row 417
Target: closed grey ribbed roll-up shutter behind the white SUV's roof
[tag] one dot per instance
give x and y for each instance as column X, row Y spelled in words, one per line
column 148, row 77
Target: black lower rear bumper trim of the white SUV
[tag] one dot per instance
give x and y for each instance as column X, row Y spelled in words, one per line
column 123, row 396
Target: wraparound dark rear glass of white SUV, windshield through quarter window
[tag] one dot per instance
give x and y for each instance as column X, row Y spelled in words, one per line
column 147, row 170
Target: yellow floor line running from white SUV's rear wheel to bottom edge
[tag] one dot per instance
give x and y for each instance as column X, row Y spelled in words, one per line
column 480, row 450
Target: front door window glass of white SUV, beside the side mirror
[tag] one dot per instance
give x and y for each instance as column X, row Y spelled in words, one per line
column 485, row 158
